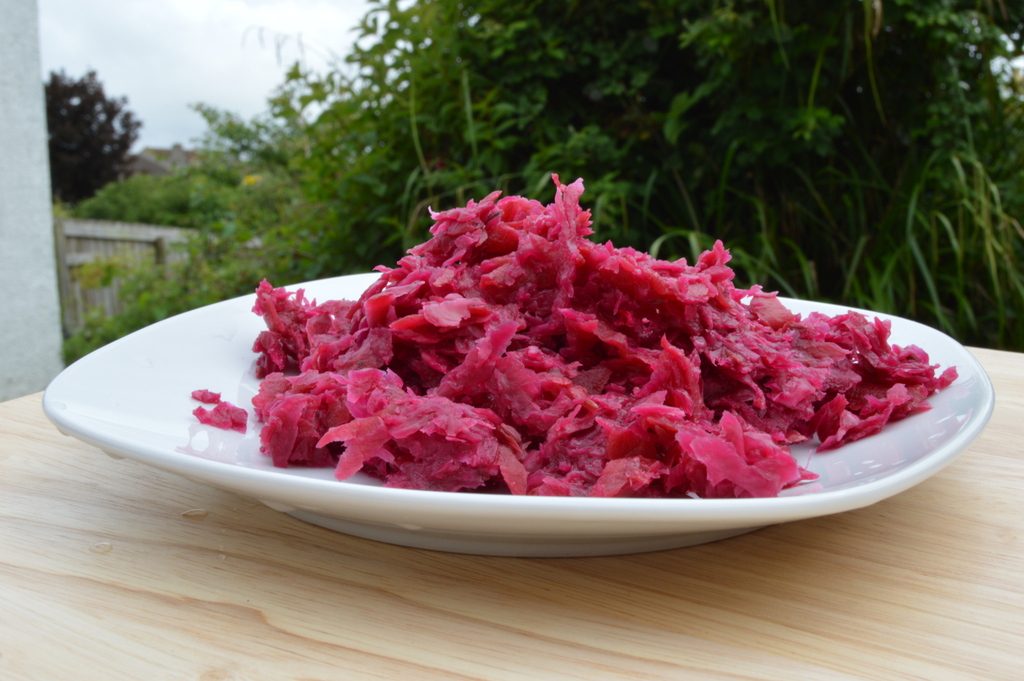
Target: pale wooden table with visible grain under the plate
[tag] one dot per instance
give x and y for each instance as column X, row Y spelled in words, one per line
column 111, row 570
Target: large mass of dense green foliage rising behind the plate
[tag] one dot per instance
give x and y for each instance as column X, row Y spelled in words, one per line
column 866, row 153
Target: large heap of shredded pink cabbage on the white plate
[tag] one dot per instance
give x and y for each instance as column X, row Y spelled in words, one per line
column 510, row 354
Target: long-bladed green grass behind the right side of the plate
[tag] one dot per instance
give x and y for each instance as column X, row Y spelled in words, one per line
column 949, row 251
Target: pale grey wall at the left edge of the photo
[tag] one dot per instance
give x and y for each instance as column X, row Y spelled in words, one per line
column 30, row 326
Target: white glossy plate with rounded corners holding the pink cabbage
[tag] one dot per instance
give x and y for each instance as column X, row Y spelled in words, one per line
column 132, row 399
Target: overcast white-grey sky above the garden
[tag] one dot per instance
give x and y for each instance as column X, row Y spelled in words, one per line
column 164, row 56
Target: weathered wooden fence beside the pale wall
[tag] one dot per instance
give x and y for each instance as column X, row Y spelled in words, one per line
column 98, row 243
